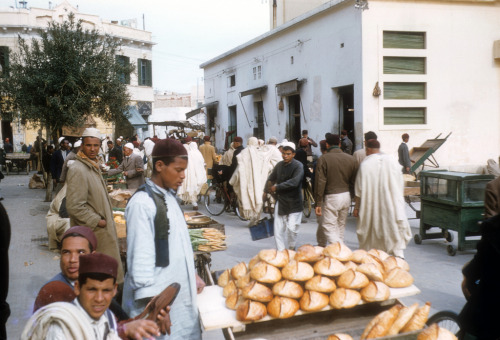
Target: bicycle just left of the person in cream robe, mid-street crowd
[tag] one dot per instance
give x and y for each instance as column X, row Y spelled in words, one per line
column 217, row 200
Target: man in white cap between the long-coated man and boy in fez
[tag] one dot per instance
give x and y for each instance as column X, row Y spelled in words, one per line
column 132, row 167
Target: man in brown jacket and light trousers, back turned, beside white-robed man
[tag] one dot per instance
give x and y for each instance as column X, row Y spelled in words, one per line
column 335, row 171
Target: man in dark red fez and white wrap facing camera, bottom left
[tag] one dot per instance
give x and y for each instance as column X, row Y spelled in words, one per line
column 88, row 316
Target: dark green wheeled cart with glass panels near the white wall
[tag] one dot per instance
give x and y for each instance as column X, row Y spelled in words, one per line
column 451, row 201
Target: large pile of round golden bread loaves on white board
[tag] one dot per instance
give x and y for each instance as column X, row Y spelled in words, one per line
column 279, row 283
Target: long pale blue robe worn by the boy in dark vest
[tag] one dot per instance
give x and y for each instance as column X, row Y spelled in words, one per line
column 144, row 279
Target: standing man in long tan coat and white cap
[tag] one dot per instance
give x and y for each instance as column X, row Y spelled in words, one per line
column 87, row 200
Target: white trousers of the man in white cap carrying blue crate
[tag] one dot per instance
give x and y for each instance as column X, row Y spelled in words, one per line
column 286, row 229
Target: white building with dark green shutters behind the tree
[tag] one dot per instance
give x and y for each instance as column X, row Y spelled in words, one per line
column 136, row 48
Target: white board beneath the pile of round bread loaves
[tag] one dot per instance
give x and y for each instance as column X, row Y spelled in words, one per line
column 215, row 315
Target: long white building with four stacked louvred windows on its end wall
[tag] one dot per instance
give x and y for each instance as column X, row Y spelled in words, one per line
column 420, row 67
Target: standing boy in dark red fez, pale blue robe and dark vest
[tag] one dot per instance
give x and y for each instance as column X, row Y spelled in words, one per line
column 159, row 250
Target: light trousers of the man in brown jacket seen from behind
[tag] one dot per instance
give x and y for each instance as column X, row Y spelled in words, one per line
column 331, row 225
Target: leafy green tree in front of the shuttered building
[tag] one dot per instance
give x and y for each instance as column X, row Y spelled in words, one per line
column 65, row 76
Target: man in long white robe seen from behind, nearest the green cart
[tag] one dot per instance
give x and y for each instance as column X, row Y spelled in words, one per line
column 380, row 204
